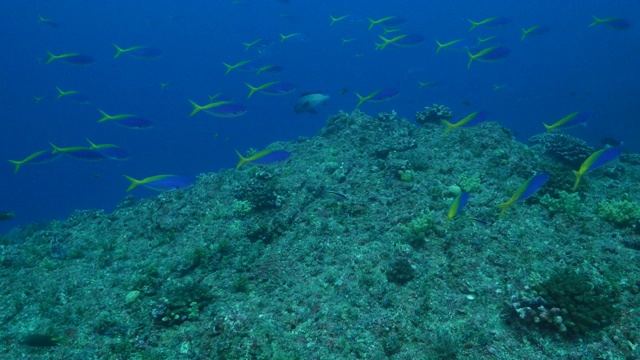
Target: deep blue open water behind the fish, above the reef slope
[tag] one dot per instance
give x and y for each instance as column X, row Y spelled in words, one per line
column 573, row 67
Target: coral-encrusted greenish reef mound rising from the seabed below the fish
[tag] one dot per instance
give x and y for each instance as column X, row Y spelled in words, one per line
column 343, row 251
